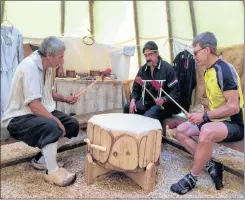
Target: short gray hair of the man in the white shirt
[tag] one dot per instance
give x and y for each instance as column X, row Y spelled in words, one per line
column 50, row 46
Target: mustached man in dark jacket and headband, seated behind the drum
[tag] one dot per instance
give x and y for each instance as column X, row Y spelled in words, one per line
column 154, row 69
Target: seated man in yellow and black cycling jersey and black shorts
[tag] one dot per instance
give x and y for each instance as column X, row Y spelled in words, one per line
column 224, row 122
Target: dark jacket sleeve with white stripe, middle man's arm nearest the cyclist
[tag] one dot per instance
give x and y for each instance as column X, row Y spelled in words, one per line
column 172, row 86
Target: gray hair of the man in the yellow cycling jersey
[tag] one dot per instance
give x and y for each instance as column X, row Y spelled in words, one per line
column 206, row 39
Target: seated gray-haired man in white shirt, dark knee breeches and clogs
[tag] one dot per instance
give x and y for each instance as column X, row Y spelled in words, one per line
column 30, row 114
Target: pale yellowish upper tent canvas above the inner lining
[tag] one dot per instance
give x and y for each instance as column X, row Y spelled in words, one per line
column 122, row 23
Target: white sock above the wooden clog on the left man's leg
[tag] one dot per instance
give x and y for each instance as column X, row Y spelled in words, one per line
column 49, row 153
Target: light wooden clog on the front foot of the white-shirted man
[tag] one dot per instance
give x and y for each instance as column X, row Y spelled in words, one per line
column 61, row 177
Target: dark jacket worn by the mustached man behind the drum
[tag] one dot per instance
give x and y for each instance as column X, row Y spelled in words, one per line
column 163, row 71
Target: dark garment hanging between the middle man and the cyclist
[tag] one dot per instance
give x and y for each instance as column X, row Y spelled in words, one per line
column 185, row 68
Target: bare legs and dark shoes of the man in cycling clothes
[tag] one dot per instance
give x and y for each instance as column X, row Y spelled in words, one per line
column 209, row 134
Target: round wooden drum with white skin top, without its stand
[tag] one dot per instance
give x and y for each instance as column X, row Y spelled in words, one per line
column 130, row 141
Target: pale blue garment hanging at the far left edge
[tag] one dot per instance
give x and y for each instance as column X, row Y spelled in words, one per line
column 12, row 53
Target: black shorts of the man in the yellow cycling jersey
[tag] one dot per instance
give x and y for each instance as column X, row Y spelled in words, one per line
column 235, row 131
